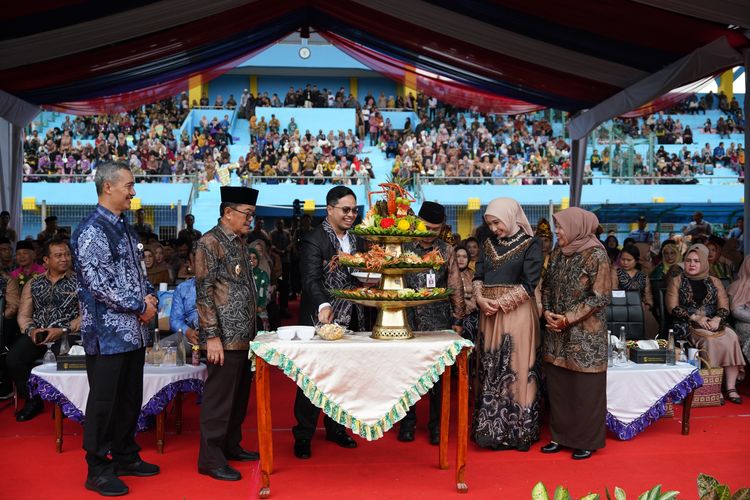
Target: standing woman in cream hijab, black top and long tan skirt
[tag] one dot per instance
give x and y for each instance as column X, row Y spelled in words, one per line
column 506, row 415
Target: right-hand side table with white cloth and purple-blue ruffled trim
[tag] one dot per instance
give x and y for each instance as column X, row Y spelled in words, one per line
column 637, row 393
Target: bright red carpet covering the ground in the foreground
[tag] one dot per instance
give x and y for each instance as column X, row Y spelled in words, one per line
column 386, row 468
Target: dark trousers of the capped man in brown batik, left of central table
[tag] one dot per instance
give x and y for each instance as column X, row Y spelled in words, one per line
column 224, row 406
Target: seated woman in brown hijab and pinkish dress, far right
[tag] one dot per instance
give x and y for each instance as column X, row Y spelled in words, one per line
column 699, row 306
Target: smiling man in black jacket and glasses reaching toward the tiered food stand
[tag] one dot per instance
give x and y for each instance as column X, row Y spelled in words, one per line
column 317, row 249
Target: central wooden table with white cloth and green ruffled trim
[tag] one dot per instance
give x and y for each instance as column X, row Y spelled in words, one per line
column 366, row 385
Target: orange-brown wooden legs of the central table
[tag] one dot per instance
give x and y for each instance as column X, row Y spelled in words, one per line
column 265, row 439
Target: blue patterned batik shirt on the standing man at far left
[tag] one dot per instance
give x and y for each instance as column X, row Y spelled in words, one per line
column 112, row 284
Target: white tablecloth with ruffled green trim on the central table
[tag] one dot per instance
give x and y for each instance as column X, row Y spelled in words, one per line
column 365, row 384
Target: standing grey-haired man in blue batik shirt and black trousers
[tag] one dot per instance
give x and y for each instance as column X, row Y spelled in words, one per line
column 116, row 302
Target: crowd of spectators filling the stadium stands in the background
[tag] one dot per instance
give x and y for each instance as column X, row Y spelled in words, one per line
column 446, row 145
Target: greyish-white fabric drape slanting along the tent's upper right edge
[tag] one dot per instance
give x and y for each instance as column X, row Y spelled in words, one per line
column 707, row 60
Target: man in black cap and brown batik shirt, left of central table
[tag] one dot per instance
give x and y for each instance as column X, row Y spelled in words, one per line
column 226, row 303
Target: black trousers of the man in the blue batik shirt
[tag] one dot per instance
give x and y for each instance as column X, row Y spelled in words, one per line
column 115, row 398
